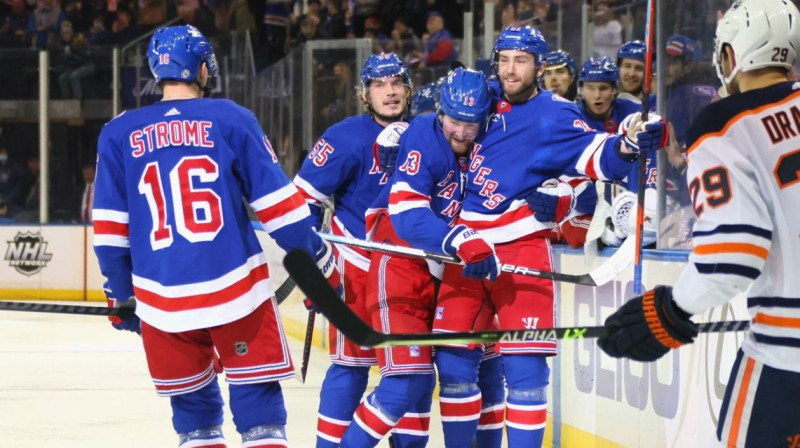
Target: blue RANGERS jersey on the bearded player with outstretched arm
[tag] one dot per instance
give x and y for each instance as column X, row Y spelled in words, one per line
column 527, row 144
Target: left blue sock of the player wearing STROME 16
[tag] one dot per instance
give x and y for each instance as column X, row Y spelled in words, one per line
column 198, row 410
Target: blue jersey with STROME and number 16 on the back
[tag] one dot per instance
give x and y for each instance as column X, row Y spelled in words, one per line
column 170, row 225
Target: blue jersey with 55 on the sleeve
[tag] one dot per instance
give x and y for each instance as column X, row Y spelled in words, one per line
column 341, row 165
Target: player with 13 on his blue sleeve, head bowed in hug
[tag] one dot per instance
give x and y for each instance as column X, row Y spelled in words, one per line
column 417, row 209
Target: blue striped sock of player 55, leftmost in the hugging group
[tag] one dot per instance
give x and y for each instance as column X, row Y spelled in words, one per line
column 339, row 397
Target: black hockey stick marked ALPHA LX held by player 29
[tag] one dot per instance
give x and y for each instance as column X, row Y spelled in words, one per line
column 311, row 281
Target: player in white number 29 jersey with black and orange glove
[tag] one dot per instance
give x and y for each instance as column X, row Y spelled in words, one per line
column 744, row 178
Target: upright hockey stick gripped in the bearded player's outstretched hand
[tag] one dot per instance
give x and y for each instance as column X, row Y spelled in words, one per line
column 648, row 76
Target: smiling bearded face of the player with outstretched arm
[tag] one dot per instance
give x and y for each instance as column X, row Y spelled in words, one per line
column 518, row 73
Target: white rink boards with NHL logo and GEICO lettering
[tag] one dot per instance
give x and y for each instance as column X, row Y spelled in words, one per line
column 595, row 401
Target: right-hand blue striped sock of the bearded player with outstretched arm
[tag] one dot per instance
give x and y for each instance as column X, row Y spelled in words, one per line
column 526, row 407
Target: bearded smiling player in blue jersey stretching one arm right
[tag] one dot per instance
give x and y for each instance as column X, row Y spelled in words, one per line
column 532, row 136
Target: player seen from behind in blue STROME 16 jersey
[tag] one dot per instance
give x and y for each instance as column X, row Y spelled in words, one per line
column 171, row 230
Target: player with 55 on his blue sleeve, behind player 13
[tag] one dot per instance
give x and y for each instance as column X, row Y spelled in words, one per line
column 341, row 166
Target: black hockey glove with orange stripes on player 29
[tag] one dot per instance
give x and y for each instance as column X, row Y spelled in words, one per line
column 646, row 327
